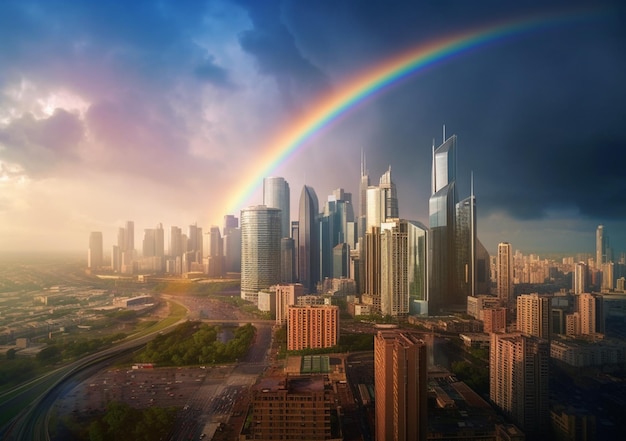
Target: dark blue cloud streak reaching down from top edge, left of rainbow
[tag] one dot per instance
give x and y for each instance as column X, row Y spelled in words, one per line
column 277, row 54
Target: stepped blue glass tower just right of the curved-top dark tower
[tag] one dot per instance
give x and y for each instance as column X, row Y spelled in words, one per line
column 337, row 214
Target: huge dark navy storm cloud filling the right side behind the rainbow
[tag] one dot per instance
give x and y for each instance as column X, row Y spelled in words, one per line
column 537, row 115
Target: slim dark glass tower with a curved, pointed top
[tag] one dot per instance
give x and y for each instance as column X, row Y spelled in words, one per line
column 308, row 240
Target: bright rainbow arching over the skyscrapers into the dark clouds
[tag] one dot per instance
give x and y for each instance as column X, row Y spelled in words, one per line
column 365, row 85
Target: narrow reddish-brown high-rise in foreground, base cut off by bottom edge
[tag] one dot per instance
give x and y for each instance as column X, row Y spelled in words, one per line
column 400, row 386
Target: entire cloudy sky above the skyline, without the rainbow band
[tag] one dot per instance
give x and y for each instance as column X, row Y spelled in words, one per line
column 161, row 112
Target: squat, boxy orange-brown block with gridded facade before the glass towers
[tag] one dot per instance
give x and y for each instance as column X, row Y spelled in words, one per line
column 312, row 327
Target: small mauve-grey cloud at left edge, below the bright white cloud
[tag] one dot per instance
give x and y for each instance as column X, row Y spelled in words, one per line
column 39, row 145
